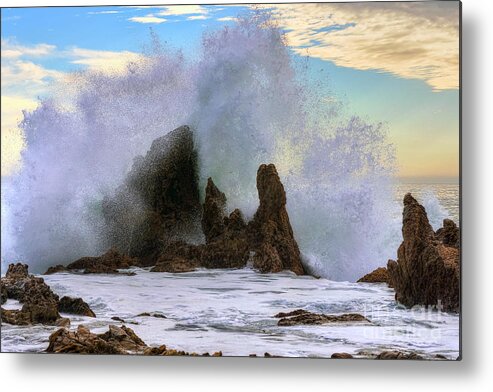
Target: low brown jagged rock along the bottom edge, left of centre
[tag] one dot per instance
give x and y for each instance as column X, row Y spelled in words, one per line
column 117, row 340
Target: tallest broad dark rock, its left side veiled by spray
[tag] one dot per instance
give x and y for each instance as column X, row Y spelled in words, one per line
column 158, row 201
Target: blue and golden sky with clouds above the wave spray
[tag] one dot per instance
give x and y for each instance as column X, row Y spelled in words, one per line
column 397, row 64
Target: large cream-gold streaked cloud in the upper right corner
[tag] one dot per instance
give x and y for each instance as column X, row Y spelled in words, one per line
column 409, row 40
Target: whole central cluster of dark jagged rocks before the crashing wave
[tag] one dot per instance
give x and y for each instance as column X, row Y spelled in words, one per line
column 155, row 216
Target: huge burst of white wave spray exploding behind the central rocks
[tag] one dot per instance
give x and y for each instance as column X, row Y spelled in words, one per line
column 249, row 102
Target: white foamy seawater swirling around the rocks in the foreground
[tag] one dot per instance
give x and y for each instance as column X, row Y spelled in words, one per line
column 232, row 311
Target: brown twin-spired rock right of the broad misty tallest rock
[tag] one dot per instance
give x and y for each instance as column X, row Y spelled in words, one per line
column 230, row 240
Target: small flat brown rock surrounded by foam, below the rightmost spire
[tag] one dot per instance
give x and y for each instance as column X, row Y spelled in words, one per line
column 303, row 317
